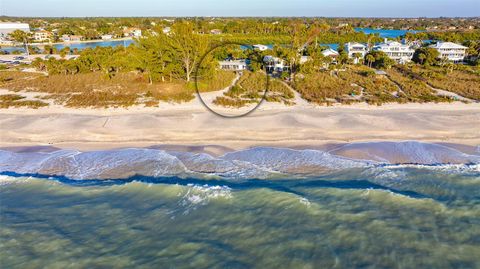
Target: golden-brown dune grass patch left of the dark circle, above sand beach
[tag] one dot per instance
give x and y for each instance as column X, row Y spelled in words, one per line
column 96, row 90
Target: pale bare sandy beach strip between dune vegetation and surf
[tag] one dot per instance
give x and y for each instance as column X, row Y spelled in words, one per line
column 190, row 124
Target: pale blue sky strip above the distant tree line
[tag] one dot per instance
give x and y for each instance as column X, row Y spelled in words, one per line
column 227, row 8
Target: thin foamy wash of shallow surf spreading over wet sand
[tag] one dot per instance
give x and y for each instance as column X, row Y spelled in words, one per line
column 387, row 159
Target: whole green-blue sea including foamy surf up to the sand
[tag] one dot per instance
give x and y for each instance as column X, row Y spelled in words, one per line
column 258, row 208
